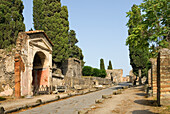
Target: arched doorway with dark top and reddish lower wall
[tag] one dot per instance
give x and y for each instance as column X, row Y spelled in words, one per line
column 39, row 72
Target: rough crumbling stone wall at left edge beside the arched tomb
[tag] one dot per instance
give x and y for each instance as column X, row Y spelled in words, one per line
column 6, row 72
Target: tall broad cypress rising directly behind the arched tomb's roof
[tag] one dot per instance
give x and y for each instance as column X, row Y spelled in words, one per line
column 53, row 19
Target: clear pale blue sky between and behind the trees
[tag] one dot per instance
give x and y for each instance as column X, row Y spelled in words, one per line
column 101, row 29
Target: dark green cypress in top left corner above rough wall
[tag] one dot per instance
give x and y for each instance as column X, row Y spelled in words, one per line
column 11, row 22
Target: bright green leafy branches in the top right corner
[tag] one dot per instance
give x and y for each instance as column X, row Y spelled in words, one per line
column 156, row 19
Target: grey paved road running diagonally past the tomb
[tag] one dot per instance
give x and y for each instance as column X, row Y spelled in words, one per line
column 71, row 105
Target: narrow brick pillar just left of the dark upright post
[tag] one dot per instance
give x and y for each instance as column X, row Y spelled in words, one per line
column 154, row 75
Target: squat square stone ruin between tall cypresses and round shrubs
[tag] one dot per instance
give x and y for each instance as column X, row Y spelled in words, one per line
column 72, row 68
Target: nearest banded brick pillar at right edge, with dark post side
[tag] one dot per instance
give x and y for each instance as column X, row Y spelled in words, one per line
column 163, row 77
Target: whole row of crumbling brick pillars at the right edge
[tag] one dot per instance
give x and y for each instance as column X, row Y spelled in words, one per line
column 159, row 77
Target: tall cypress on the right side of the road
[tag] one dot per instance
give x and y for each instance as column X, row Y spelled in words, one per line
column 138, row 45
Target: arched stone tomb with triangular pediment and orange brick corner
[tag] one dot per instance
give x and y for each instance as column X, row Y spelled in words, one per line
column 33, row 62
